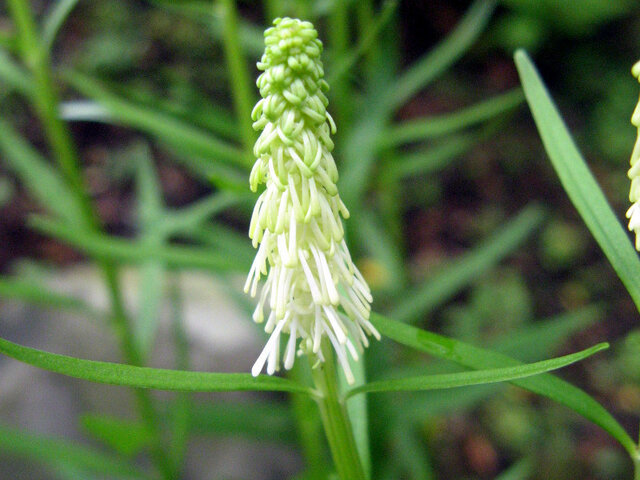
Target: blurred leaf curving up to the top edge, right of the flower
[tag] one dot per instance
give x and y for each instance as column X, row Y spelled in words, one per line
column 445, row 54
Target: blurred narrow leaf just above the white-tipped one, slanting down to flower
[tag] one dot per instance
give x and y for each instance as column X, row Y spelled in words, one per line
column 167, row 129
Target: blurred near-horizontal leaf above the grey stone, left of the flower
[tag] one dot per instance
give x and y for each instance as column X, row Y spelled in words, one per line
column 98, row 245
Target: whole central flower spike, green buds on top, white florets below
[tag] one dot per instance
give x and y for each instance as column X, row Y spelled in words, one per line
column 313, row 289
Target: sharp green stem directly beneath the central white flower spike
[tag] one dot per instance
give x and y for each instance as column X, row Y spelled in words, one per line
column 335, row 420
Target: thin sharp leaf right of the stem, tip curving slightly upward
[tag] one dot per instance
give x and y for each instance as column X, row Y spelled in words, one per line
column 478, row 377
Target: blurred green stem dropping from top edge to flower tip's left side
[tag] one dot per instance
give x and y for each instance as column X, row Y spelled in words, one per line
column 239, row 81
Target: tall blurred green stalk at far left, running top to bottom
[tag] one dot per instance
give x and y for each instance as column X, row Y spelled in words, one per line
column 36, row 57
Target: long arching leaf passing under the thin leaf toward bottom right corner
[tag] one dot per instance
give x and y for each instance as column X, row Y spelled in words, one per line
column 478, row 358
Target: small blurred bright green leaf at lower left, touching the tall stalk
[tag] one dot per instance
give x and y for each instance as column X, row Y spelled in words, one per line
column 124, row 436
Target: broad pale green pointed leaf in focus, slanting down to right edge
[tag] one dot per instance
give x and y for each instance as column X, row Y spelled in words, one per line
column 577, row 180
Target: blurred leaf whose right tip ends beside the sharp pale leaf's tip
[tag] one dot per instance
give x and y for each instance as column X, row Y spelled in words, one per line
column 426, row 128
